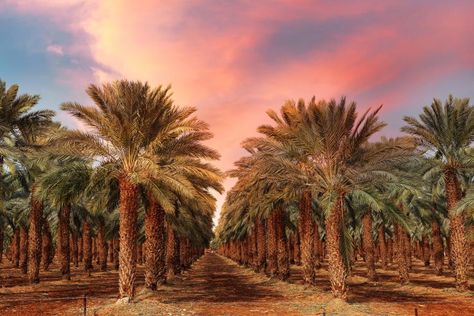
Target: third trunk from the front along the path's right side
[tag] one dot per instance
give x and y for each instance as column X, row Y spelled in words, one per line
column 282, row 245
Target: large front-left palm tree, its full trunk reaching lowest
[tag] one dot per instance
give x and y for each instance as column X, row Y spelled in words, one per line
column 124, row 133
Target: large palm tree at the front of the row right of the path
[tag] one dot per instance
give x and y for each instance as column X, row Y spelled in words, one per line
column 332, row 145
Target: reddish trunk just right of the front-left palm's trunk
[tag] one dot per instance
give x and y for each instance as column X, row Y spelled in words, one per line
column 154, row 245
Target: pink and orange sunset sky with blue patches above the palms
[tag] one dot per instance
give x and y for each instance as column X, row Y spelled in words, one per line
column 233, row 60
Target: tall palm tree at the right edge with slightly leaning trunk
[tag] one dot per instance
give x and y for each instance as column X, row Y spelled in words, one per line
column 447, row 132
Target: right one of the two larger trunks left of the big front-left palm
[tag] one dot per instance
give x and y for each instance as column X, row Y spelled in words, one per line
column 63, row 242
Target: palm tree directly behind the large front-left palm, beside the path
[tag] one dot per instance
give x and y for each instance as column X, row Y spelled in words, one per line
column 178, row 156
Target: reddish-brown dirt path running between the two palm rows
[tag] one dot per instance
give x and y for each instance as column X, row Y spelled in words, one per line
column 217, row 286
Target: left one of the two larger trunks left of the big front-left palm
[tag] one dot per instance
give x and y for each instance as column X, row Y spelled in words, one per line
column 34, row 239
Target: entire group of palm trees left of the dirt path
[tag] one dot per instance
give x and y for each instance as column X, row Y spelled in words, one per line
column 136, row 179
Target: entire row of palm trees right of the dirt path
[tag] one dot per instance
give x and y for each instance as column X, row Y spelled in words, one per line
column 315, row 185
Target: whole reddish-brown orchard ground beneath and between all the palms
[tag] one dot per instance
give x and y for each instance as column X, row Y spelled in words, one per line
column 217, row 286
